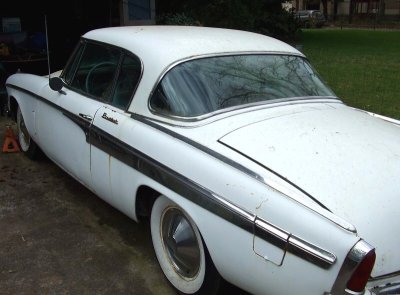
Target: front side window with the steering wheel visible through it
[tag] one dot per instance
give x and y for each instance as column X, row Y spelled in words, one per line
column 96, row 71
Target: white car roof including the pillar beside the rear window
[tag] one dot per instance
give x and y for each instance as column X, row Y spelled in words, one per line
column 159, row 47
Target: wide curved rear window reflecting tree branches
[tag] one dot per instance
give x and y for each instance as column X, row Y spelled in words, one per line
column 202, row 86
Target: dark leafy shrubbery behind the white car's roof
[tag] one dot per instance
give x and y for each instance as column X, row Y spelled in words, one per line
column 262, row 16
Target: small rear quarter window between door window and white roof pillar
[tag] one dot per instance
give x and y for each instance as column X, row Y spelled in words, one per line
column 127, row 81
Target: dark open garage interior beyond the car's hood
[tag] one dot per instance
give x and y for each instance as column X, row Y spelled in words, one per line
column 23, row 31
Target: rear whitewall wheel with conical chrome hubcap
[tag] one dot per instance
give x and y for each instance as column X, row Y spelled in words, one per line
column 180, row 250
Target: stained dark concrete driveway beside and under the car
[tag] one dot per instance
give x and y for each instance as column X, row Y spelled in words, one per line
column 59, row 238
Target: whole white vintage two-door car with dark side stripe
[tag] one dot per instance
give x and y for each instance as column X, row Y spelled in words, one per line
column 248, row 166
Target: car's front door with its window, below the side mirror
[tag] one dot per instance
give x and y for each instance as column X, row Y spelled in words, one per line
column 63, row 121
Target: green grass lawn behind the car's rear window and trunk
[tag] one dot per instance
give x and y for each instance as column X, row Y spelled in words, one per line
column 361, row 66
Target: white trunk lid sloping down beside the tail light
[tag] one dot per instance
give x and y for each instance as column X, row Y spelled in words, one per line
column 347, row 159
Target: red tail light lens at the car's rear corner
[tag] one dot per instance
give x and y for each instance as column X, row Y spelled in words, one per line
column 360, row 276
